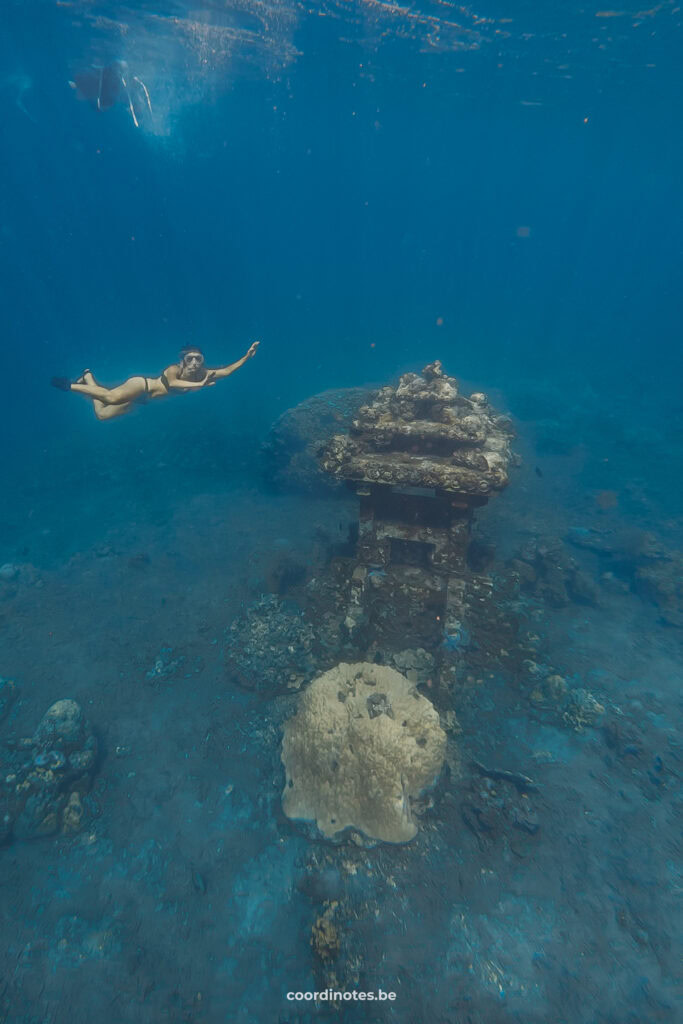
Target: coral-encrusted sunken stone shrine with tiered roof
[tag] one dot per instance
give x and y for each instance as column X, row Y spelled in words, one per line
column 421, row 458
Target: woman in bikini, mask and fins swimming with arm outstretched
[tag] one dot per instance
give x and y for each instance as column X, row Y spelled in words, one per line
column 190, row 373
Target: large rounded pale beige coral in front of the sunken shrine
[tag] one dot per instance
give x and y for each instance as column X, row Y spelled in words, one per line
column 362, row 744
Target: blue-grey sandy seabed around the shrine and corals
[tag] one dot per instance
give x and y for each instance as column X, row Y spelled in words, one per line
column 185, row 895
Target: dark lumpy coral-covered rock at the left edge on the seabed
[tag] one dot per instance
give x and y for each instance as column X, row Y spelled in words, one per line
column 47, row 776
